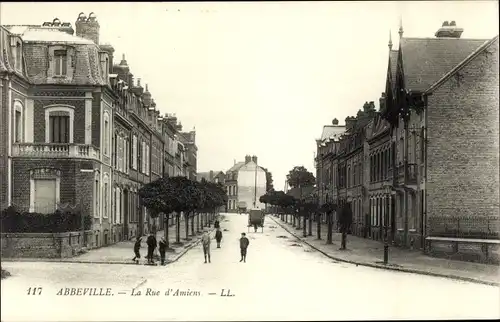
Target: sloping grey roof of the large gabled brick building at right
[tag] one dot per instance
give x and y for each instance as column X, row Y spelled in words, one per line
column 426, row 60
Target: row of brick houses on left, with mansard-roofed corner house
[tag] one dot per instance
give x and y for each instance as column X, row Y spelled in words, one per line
column 77, row 131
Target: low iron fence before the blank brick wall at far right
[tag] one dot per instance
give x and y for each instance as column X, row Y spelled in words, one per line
column 479, row 227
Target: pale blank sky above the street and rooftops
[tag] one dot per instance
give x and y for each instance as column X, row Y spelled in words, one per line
column 260, row 78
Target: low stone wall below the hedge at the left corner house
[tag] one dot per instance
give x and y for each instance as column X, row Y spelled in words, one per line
column 45, row 245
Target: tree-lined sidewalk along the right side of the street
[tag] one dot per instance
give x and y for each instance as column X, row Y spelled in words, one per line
column 369, row 252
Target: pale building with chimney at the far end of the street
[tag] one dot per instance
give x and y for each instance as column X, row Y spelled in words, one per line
column 245, row 182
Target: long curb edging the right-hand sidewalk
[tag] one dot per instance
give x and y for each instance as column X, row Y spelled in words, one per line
column 399, row 269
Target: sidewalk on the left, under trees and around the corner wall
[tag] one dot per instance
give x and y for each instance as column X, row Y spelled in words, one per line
column 123, row 252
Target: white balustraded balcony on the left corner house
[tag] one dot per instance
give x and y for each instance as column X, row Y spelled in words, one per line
column 55, row 150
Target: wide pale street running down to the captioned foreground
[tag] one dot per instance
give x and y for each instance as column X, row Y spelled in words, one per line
column 282, row 279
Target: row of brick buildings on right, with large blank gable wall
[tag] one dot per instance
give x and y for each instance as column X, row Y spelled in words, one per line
column 431, row 152
